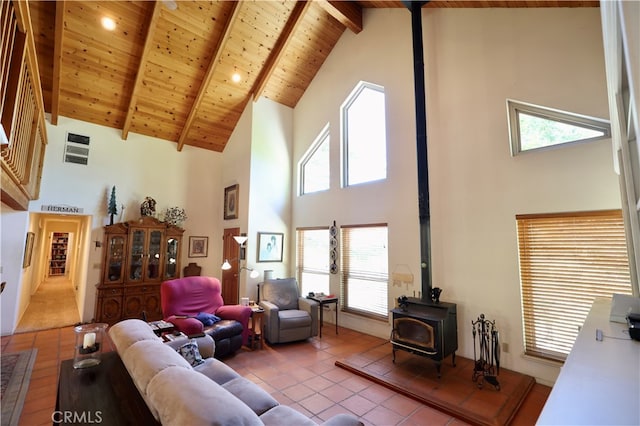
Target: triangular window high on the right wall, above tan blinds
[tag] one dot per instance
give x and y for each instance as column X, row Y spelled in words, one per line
column 534, row 127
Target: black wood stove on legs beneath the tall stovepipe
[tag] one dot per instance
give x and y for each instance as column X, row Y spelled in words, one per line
column 426, row 329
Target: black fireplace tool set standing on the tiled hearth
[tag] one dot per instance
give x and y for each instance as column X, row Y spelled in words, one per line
column 487, row 357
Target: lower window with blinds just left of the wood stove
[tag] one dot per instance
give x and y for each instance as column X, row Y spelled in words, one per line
column 365, row 270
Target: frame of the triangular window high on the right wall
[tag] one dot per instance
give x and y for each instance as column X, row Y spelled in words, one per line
column 514, row 108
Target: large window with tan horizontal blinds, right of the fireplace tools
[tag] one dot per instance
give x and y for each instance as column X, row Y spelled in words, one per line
column 566, row 260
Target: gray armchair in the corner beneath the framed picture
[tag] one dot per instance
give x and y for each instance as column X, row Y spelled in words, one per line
column 287, row 316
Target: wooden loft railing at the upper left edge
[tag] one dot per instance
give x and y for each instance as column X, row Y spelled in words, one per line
column 23, row 135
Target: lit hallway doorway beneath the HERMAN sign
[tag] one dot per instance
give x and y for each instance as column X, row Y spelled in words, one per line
column 56, row 279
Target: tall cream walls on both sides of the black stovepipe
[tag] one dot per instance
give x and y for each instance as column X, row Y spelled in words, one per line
column 475, row 60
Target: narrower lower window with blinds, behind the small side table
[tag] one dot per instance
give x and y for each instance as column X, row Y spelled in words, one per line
column 313, row 260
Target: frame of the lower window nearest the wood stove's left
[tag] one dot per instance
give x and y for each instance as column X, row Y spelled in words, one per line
column 345, row 275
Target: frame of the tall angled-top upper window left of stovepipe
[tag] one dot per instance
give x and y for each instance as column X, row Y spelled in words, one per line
column 344, row 132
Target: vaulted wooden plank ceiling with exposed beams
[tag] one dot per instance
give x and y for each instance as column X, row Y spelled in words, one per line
column 166, row 69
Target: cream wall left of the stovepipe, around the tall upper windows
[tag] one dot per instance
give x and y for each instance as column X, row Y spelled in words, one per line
column 380, row 54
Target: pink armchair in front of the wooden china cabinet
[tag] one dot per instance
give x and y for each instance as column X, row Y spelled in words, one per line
column 183, row 299
